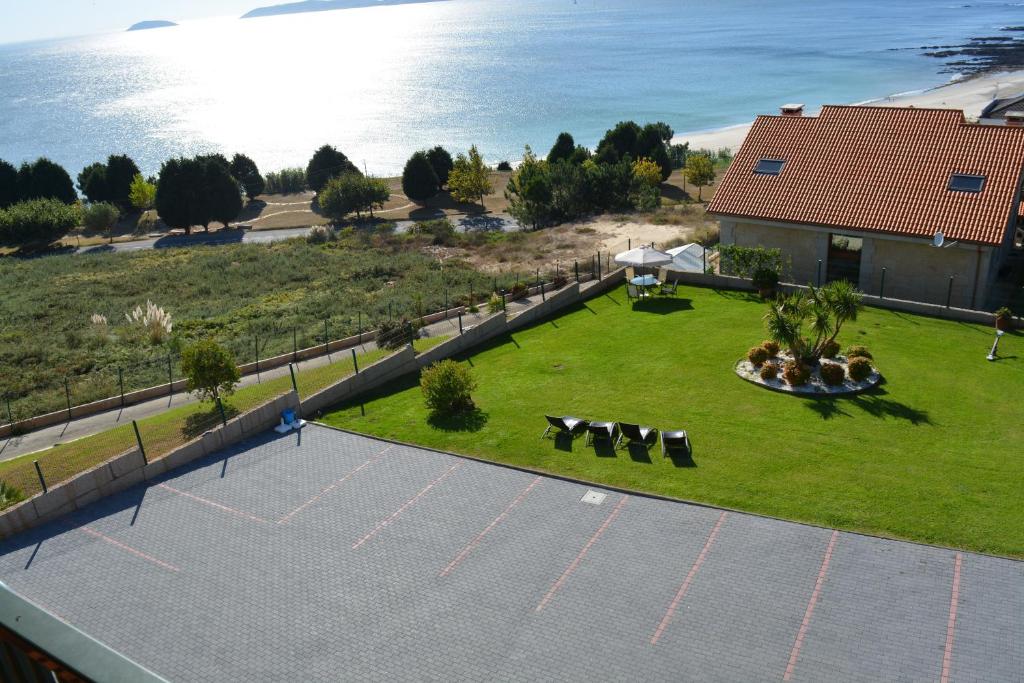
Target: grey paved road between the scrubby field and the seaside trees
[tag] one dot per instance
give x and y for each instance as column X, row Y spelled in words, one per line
column 463, row 224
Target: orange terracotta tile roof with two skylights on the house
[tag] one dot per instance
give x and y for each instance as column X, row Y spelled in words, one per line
column 878, row 169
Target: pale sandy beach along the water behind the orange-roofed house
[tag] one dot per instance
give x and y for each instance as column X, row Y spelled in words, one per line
column 971, row 96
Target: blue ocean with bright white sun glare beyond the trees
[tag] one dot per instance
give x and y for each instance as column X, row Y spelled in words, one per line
column 381, row 82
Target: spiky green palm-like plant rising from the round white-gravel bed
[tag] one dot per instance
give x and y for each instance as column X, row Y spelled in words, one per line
column 806, row 322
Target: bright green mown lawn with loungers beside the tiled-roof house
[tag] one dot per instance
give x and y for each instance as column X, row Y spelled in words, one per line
column 932, row 456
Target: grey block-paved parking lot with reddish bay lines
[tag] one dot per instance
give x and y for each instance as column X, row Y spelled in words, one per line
column 328, row 557
